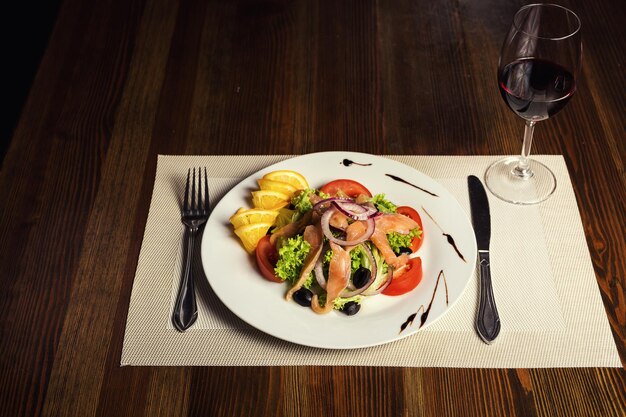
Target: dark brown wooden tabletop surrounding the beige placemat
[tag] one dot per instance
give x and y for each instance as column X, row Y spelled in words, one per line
column 124, row 80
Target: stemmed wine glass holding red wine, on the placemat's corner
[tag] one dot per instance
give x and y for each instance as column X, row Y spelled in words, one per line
column 537, row 71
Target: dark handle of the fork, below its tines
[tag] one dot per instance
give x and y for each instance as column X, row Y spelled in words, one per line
column 186, row 309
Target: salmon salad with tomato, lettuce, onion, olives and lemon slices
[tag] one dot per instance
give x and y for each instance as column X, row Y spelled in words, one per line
column 335, row 246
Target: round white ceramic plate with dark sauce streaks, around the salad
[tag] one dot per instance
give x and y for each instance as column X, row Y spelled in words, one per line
column 233, row 275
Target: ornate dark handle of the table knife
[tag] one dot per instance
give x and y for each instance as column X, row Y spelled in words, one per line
column 487, row 320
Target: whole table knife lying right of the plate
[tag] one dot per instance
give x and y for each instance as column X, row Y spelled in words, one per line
column 487, row 320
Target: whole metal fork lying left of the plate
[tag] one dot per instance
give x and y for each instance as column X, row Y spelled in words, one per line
column 194, row 215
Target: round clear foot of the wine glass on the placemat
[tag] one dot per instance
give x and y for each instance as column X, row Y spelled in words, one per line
column 505, row 183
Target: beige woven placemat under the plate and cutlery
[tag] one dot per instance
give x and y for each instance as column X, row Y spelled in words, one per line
column 548, row 299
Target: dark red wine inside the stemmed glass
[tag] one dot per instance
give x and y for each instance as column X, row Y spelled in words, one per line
column 535, row 89
